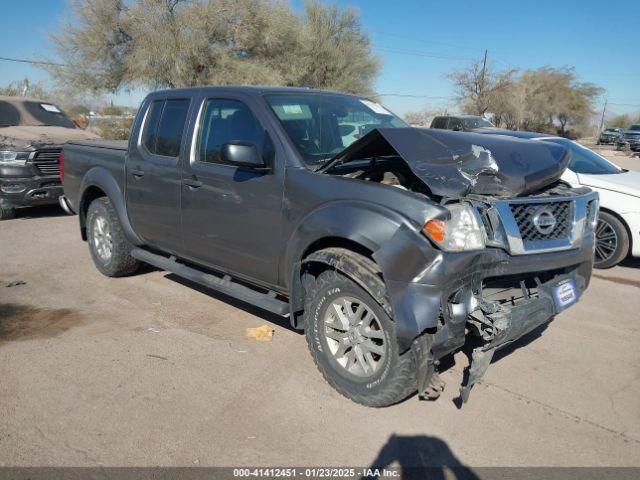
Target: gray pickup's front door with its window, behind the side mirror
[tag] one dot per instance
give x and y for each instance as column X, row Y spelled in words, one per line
column 231, row 216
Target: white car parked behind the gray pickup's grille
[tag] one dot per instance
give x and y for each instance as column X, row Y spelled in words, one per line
column 618, row 230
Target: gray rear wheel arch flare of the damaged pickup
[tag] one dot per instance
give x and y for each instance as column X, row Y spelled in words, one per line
column 100, row 177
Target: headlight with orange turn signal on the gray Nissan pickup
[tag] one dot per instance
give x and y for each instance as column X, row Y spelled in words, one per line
column 461, row 232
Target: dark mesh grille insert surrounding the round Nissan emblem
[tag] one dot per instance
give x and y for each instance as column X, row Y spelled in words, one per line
column 525, row 213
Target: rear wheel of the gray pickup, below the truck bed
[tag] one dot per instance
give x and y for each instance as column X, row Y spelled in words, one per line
column 110, row 250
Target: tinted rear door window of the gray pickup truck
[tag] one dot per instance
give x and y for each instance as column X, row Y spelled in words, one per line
column 165, row 125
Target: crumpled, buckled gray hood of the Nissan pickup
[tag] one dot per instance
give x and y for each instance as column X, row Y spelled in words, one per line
column 456, row 164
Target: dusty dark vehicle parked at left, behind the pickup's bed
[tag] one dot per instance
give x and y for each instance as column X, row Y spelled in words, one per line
column 31, row 134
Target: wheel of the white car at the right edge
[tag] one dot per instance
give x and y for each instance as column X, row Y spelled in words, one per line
column 612, row 241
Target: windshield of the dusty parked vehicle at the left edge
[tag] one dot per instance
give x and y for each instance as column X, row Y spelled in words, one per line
column 21, row 112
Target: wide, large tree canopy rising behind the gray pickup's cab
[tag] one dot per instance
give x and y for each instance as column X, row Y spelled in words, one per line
column 117, row 44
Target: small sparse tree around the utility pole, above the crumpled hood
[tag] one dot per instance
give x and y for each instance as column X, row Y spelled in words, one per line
column 478, row 87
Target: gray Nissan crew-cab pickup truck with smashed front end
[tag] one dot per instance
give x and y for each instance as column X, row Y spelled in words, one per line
column 390, row 246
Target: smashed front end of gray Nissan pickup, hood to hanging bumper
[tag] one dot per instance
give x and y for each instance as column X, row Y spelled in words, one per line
column 448, row 283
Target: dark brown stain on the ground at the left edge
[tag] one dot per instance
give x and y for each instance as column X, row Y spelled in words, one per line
column 24, row 322
